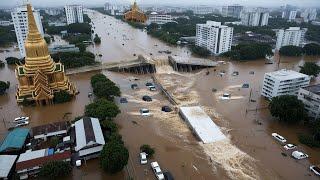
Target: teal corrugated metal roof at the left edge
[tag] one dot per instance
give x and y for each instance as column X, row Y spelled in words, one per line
column 15, row 139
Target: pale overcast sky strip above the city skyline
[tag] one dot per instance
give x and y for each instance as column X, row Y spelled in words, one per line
column 269, row 3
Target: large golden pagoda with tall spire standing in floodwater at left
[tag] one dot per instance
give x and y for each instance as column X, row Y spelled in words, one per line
column 40, row 76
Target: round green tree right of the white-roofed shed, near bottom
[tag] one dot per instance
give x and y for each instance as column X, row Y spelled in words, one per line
column 114, row 156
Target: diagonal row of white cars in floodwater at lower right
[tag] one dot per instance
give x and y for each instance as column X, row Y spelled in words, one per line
column 295, row 154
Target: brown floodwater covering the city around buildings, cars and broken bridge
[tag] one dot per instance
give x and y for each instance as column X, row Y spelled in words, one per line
column 251, row 152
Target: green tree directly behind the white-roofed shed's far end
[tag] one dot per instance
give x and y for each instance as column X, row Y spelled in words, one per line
column 102, row 109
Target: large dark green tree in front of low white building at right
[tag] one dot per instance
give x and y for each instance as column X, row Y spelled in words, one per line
column 287, row 108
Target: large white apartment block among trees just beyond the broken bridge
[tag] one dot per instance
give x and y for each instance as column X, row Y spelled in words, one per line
column 215, row 37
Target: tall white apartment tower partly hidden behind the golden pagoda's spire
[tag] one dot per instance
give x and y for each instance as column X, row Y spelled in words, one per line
column 20, row 22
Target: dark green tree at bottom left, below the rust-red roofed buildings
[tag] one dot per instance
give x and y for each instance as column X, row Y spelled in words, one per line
column 55, row 169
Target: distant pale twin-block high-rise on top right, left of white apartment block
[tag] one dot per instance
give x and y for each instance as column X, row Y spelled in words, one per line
column 254, row 18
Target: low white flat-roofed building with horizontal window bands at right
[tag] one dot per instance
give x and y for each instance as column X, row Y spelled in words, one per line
column 283, row 82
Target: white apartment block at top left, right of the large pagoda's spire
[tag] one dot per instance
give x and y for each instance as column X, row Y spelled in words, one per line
column 74, row 13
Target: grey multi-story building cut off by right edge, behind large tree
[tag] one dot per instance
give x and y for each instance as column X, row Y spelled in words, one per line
column 310, row 96
